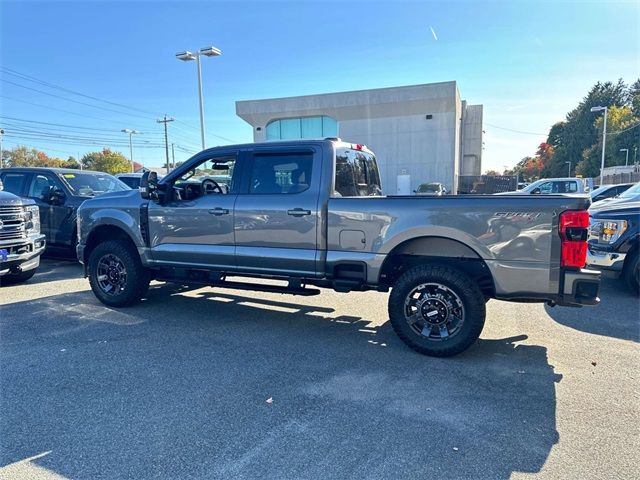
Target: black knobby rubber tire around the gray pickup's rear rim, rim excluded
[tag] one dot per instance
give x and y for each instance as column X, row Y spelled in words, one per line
column 462, row 288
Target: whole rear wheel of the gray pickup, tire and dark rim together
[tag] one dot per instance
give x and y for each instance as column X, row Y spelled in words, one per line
column 437, row 310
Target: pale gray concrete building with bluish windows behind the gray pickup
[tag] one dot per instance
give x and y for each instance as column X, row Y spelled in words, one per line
column 419, row 133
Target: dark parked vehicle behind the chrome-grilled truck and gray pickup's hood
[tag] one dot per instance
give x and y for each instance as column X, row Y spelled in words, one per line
column 58, row 192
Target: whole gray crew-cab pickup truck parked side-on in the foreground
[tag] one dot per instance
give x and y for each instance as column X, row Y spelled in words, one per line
column 310, row 213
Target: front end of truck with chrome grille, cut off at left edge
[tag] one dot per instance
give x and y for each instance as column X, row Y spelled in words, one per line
column 21, row 242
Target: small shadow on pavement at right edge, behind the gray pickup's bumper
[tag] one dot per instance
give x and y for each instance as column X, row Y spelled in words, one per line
column 617, row 315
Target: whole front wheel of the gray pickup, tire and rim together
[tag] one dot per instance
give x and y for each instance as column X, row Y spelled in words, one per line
column 116, row 274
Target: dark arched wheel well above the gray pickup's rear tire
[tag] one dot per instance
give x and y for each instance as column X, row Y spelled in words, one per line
column 437, row 250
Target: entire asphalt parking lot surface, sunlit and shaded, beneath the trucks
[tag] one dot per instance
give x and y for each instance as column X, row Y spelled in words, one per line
column 204, row 383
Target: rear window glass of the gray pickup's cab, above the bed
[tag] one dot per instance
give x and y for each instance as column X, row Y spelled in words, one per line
column 356, row 174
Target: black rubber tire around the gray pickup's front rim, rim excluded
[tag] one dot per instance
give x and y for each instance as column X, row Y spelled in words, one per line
column 137, row 277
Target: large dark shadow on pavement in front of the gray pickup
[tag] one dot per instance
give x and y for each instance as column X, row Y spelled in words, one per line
column 178, row 387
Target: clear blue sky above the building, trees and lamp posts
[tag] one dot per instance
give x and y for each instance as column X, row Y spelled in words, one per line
column 528, row 63
